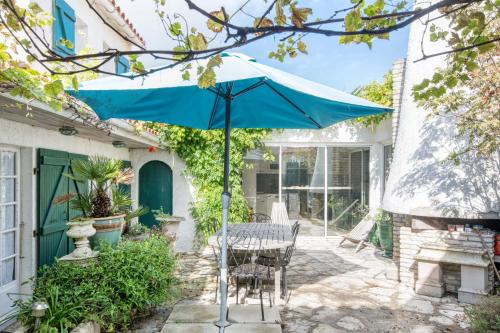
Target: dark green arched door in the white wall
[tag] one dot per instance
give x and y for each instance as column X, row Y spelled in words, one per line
column 155, row 190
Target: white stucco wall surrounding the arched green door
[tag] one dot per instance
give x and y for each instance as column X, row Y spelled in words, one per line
column 182, row 189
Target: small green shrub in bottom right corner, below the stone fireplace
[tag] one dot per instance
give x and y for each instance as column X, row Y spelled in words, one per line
column 484, row 317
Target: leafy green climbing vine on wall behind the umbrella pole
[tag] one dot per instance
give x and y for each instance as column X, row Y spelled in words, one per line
column 203, row 153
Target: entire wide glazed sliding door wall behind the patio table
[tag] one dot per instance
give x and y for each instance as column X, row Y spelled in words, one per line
column 325, row 188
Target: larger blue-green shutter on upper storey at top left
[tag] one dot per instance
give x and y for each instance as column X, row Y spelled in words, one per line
column 63, row 28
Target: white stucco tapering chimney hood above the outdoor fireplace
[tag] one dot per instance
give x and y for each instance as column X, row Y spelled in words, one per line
column 422, row 180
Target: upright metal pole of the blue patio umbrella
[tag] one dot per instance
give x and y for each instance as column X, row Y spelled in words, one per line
column 226, row 197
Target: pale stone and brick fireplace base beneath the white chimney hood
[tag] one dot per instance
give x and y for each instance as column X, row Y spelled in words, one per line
column 434, row 261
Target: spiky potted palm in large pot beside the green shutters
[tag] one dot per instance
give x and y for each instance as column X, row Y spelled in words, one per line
column 105, row 203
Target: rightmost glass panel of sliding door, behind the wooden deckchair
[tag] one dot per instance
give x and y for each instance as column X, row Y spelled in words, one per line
column 348, row 188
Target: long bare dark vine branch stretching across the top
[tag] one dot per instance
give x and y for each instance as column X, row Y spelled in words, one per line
column 239, row 33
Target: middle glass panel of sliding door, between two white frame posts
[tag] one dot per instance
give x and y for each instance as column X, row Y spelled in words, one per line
column 303, row 187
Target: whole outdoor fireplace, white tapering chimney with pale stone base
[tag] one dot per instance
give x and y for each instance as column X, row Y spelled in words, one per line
column 426, row 192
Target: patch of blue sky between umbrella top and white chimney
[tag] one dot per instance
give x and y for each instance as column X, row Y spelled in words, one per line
column 343, row 67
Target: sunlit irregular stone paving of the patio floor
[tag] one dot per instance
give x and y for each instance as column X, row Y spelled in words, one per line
column 335, row 290
